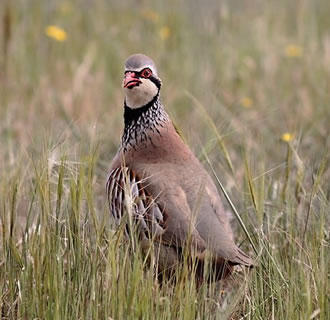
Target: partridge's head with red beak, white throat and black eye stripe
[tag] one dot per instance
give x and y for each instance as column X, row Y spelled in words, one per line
column 141, row 83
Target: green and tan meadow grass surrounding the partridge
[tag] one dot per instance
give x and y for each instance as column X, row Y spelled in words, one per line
column 237, row 76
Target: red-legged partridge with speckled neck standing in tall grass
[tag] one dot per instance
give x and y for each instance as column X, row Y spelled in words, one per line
column 158, row 188
